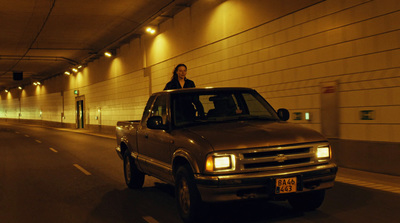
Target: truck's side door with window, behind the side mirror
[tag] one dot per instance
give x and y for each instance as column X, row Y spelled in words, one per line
column 155, row 145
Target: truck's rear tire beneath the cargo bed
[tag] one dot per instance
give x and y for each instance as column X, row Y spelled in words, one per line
column 134, row 178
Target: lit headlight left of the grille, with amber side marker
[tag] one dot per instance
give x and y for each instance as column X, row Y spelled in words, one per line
column 220, row 163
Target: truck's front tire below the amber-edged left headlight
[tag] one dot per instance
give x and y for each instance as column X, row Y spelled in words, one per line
column 189, row 203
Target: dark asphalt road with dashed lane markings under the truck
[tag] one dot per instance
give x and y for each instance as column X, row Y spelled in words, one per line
column 53, row 175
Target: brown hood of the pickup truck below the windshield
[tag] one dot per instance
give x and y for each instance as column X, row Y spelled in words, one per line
column 252, row 134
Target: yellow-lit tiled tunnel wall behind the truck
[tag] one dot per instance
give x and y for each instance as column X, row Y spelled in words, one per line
column 355, row 43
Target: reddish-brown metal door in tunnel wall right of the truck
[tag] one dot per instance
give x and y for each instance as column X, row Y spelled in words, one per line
column 330, row 109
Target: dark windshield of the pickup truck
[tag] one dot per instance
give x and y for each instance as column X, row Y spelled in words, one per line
column 204, row 107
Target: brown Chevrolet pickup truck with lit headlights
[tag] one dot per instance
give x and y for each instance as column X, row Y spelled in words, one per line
column 224, row 144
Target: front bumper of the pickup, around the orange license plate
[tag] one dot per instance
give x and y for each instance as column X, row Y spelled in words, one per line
column 262, row 184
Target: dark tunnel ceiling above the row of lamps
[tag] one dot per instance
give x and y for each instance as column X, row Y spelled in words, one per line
column 43, row 38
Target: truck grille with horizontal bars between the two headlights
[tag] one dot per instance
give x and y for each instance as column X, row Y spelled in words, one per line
column 276, row 157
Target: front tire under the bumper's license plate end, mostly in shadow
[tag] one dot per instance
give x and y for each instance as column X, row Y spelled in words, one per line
column 307, row 201
